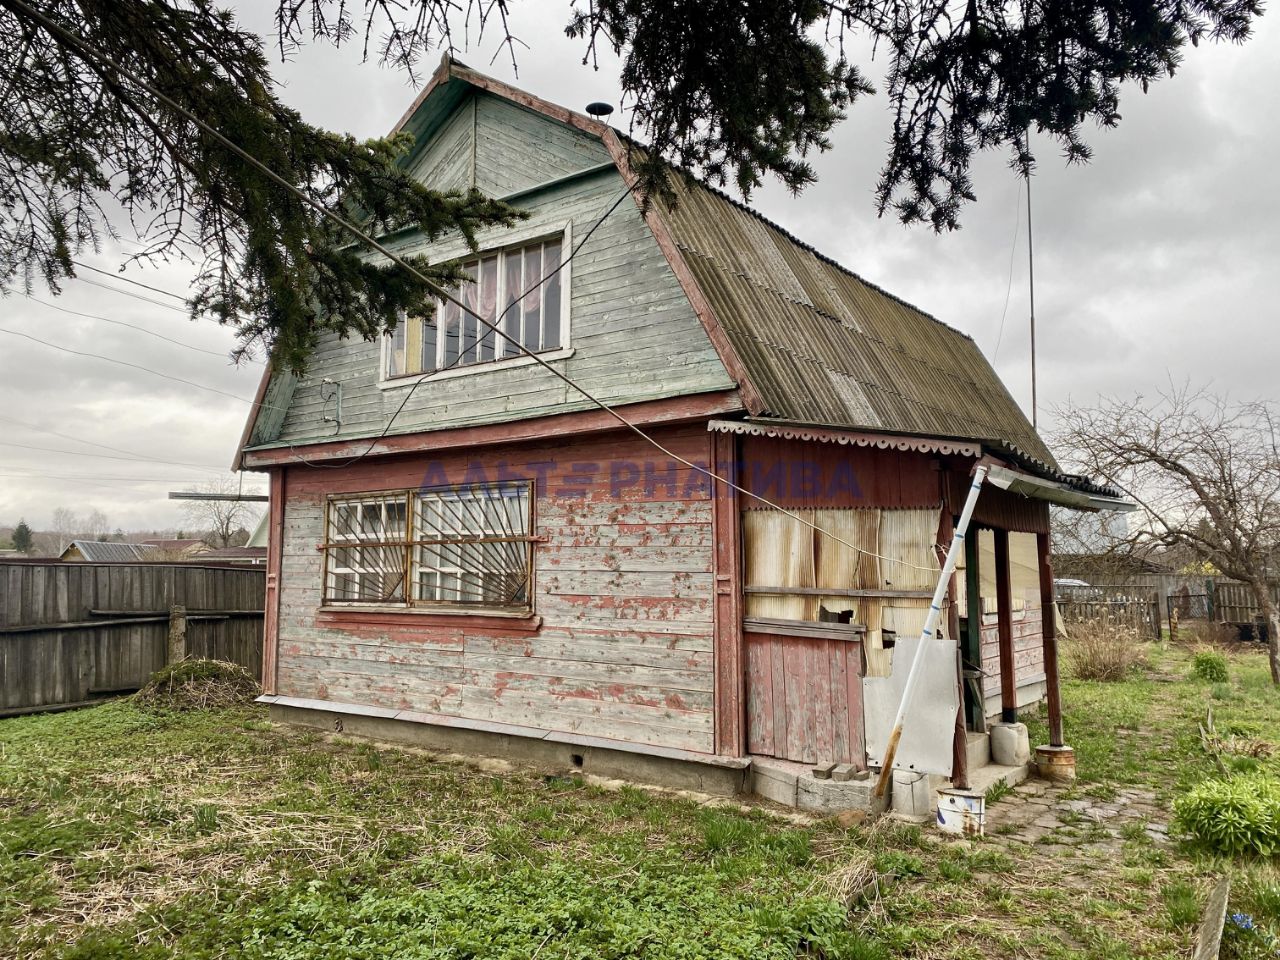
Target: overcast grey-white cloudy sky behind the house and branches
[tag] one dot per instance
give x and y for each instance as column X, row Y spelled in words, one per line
column 1158, row 262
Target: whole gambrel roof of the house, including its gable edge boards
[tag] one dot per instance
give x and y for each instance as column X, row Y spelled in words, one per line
column 807, row 340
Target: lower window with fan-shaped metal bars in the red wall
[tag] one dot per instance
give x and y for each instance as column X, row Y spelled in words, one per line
column 454, row 547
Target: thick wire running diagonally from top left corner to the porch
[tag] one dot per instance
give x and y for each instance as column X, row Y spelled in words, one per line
column 85, row 51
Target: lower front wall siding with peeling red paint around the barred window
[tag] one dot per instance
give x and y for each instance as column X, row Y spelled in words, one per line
column 624, row 648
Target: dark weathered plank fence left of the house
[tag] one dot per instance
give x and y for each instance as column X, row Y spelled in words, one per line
column 72, row 633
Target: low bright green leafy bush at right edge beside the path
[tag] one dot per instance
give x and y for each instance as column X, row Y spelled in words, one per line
column 1236, row 817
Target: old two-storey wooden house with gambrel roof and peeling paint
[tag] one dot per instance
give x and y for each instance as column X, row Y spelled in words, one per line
column 470, row 554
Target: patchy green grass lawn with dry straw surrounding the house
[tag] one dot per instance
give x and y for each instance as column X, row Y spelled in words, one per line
column 130, row 834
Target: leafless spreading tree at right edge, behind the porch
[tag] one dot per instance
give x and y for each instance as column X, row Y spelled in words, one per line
column 1206, row 473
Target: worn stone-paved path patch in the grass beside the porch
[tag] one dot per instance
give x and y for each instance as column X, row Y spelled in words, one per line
column 1039, row 812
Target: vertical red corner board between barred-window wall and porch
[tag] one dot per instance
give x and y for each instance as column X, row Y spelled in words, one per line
column 728, row 610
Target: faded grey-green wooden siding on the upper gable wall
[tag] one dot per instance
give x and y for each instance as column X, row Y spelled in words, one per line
column 634, row 335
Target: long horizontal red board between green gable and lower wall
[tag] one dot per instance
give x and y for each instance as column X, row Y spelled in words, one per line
column 673, row 410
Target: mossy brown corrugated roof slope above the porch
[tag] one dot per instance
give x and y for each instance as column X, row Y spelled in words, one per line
column 824, row 346
